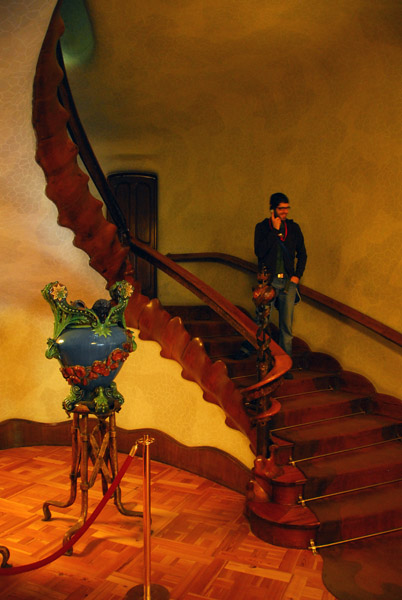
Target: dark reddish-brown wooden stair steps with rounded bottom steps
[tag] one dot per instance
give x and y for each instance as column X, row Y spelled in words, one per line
column 335, row 471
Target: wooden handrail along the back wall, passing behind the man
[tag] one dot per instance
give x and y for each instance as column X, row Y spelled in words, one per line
column 342, row 309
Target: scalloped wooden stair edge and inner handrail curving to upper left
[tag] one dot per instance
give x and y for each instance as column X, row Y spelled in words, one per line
column 108, row 246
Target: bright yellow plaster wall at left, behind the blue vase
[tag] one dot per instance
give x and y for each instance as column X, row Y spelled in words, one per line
column 35, row 251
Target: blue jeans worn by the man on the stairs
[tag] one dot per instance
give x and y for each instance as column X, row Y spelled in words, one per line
column 285, row 297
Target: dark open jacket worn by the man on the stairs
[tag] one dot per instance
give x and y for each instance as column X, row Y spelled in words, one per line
column 266, row 243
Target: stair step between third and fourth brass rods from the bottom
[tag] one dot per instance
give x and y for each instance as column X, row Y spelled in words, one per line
column 337, row 434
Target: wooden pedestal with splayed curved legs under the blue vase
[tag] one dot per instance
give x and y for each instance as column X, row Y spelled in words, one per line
column 98, row 445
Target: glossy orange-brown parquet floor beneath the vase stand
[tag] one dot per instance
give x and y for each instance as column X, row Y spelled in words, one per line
column 202, row 548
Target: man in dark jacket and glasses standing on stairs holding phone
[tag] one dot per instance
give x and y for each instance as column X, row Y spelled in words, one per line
column 279, row 245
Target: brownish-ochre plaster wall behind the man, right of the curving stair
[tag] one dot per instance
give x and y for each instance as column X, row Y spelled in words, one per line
column 228, row 103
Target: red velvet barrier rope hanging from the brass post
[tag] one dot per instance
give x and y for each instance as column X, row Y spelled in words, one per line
column 7, row 570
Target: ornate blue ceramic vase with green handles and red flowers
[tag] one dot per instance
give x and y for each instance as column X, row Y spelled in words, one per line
column 91, row 345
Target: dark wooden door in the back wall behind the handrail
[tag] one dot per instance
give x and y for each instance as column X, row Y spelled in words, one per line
column 137, row 196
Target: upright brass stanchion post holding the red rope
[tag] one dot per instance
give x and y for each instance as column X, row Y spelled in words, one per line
column 147, row 591
